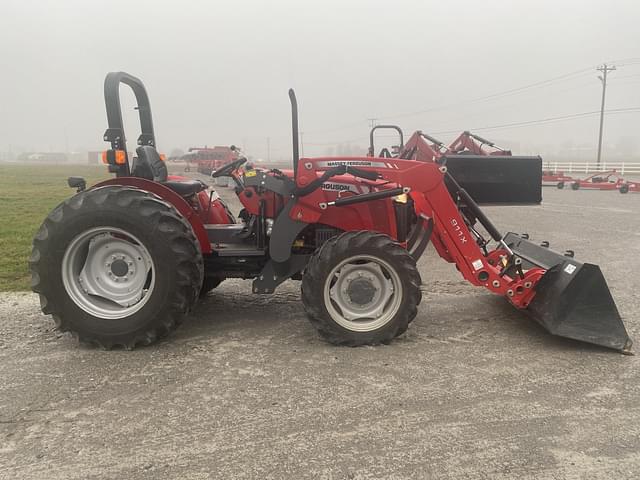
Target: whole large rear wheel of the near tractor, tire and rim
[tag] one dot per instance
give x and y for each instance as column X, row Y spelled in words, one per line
column 116, row 266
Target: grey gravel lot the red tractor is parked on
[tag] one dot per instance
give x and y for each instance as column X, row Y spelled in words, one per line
column 247, row 389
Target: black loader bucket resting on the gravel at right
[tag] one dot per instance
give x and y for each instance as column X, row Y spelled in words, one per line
column 572, row 299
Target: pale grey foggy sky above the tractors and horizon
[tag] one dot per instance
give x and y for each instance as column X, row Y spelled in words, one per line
column 217, row 72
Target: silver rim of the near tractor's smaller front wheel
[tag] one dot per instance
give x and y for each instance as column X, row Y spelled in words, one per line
column 362, row 293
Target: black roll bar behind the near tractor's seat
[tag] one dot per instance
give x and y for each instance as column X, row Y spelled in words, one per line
column 115, row 131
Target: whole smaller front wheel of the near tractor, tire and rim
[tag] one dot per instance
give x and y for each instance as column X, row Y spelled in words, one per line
column 361, row 288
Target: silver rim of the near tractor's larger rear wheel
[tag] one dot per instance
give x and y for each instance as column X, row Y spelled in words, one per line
column 108, row 273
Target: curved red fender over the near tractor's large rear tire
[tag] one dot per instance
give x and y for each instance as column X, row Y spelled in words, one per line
column 169, row 196
